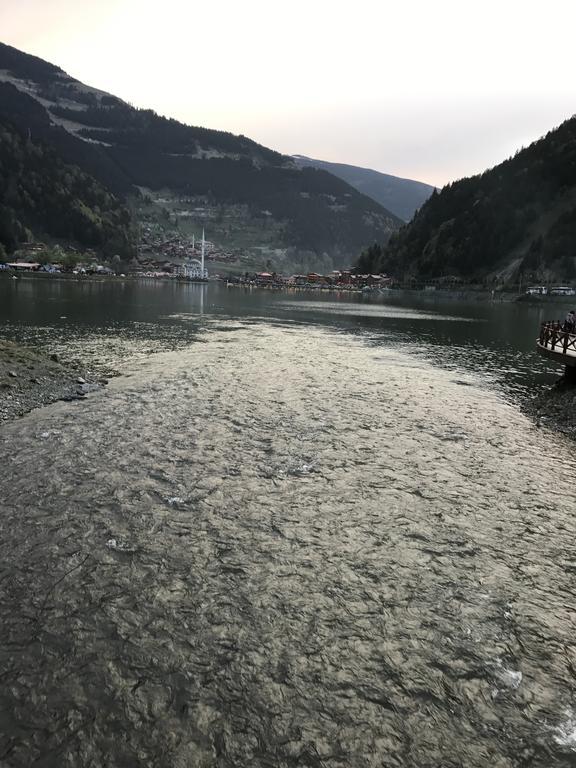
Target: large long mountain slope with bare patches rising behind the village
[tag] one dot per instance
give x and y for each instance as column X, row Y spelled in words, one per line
column 183, row 178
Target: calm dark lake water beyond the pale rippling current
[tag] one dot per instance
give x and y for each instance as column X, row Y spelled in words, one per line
column 495, row 341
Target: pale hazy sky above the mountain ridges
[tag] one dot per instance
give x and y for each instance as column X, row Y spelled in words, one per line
column 427, row 89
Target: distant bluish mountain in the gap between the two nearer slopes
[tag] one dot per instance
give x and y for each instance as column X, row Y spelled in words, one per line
column 401, row 196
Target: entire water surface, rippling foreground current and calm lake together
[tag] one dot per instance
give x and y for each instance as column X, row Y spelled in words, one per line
column 300, row 530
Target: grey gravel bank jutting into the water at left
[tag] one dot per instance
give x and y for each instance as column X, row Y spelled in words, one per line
column 31, row 379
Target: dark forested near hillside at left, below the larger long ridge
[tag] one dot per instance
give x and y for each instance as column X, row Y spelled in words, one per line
column 43, row 196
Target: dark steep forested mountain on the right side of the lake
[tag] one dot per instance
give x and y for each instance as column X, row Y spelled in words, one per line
column 517, row 220
